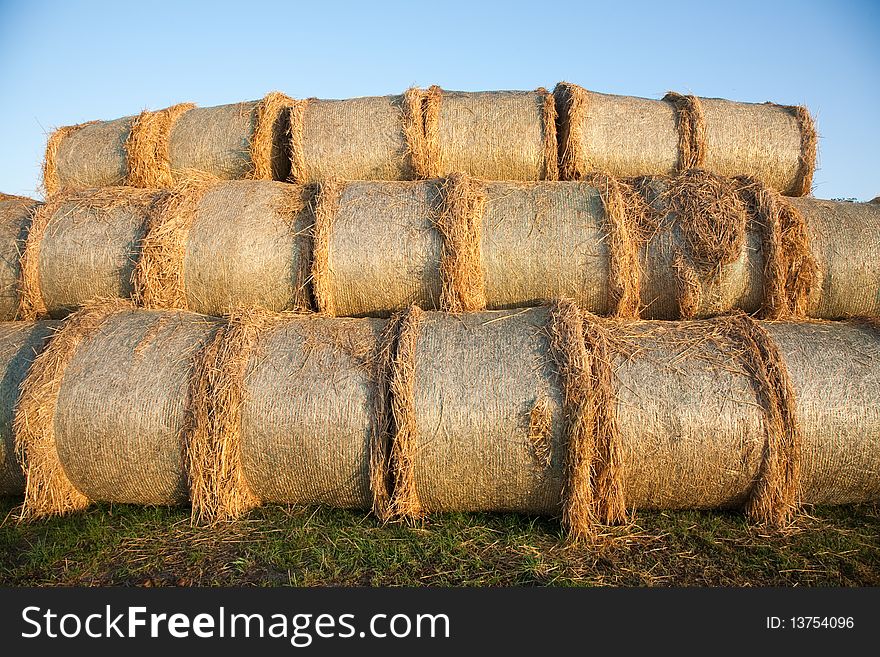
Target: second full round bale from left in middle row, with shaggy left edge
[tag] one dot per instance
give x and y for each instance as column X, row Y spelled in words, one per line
column 217, row 246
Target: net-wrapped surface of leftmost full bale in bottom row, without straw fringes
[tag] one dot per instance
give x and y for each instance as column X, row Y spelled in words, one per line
column 121, row 409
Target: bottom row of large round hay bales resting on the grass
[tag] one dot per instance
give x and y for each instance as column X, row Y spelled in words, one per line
column 436, row 412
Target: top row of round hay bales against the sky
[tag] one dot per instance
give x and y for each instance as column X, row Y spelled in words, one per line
column 429, row 133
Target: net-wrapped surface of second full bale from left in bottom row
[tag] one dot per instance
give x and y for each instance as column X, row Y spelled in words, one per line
column 308, row 413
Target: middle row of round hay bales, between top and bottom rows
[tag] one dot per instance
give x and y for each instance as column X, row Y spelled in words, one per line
column 690, row 246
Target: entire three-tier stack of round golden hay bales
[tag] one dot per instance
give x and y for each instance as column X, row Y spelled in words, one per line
column 557, row 303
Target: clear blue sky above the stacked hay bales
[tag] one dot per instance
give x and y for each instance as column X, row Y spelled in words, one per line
column 68, row 62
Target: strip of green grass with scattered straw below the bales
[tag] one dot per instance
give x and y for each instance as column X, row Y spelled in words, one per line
column 145, row 546
